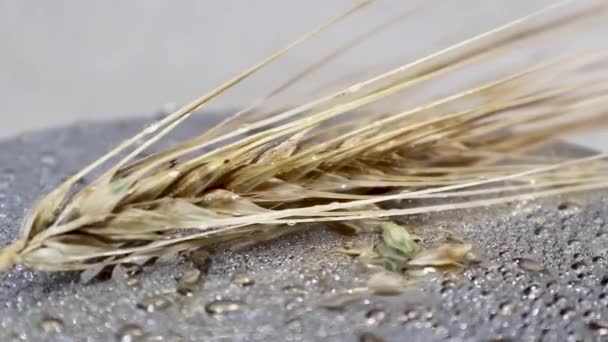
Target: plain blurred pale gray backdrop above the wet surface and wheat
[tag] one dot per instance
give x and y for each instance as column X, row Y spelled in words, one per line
column 67, row 60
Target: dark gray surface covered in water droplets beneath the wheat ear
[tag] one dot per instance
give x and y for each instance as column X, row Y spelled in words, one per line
column 557, row 292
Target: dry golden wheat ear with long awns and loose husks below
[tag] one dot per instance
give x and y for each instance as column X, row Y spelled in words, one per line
column 336, row 159
